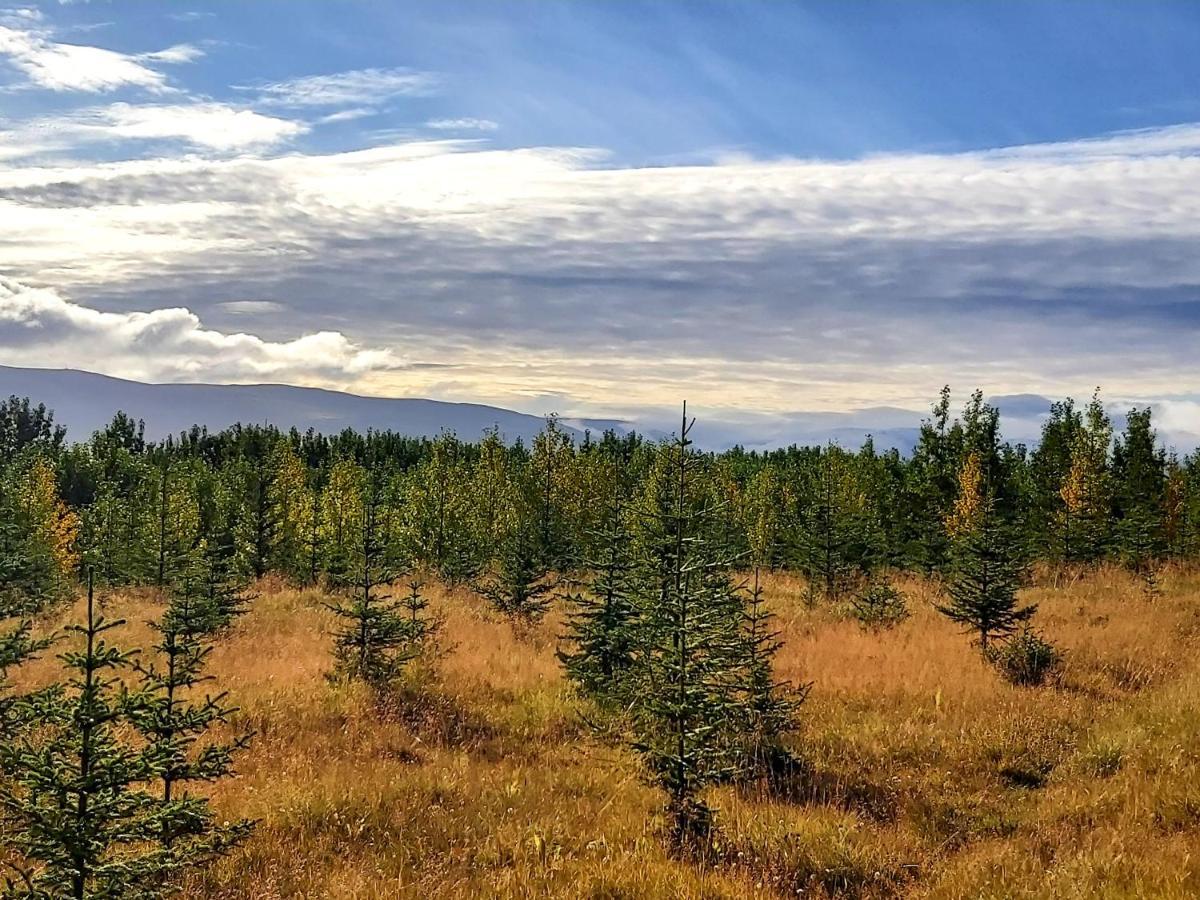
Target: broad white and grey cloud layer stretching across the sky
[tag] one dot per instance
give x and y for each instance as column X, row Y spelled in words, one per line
column 551, row 278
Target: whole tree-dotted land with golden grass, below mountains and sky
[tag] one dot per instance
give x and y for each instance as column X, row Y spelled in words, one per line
column 601, row 668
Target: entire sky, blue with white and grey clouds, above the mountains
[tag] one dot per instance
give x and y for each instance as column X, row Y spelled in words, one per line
column 602, row 209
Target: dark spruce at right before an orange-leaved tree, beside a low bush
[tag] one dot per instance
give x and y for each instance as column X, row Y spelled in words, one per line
column 985, row 580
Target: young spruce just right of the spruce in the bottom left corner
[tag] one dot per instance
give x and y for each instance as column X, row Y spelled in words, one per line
column 175, row 723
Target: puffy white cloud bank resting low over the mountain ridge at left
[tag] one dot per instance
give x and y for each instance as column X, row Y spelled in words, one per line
column 39, row 327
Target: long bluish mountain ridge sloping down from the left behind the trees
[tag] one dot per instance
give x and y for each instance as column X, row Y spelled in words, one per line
column 86, row 403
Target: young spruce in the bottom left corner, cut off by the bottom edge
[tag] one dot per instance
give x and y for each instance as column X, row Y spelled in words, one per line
column 83, row 826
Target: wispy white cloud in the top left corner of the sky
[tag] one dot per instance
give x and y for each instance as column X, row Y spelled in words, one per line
column 76, row 68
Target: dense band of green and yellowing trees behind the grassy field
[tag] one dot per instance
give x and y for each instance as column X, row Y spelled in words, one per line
column 256, row 500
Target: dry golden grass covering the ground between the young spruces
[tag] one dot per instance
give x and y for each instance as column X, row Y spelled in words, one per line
column 928, row 776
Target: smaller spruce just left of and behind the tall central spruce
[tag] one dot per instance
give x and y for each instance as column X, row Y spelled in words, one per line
column 604, row 620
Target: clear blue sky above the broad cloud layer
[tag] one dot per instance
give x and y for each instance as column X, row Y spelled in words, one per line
column 658, row 82
